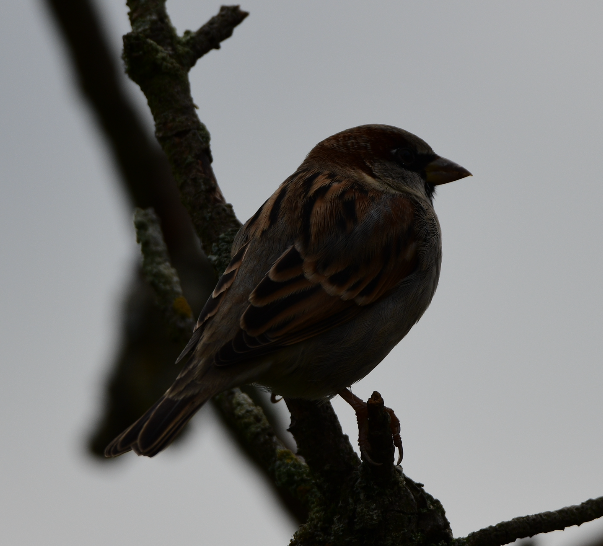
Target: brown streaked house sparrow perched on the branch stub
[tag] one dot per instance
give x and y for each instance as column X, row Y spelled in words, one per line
column 325, row 279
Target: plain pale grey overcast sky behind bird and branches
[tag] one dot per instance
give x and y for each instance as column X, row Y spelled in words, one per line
column 499, row 387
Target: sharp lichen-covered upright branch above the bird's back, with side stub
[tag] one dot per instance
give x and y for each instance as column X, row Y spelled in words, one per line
column 158, row 61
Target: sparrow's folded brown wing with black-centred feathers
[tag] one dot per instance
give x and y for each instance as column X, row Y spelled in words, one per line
column 353, row 245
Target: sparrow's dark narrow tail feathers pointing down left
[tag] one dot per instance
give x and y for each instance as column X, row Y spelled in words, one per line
column 158, row 427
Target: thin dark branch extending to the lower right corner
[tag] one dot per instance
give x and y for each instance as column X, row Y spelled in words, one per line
column 527, row 526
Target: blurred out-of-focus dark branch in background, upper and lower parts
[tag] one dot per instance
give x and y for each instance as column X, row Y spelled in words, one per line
column 142, row 366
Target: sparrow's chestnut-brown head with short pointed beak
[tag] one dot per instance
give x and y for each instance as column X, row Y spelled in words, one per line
column 390, row 156
